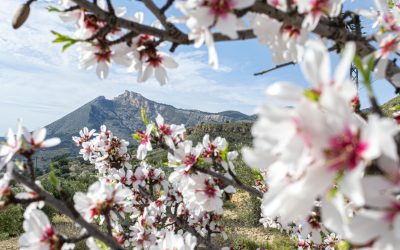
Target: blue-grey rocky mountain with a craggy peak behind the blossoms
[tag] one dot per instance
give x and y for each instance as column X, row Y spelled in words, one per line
column 122, row 115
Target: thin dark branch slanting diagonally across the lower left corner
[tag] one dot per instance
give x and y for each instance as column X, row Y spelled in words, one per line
column 63, row 208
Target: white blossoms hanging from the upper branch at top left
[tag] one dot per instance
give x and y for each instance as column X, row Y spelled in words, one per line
column 97, row 49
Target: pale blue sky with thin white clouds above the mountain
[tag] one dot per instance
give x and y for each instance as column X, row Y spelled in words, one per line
column 40, row 84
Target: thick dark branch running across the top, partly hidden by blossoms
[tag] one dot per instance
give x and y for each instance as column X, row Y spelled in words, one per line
column 327, row 28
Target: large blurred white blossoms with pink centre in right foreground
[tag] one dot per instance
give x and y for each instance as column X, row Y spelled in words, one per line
column 316, row 153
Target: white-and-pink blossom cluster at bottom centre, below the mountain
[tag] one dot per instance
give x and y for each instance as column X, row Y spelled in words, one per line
column 143, row 205
